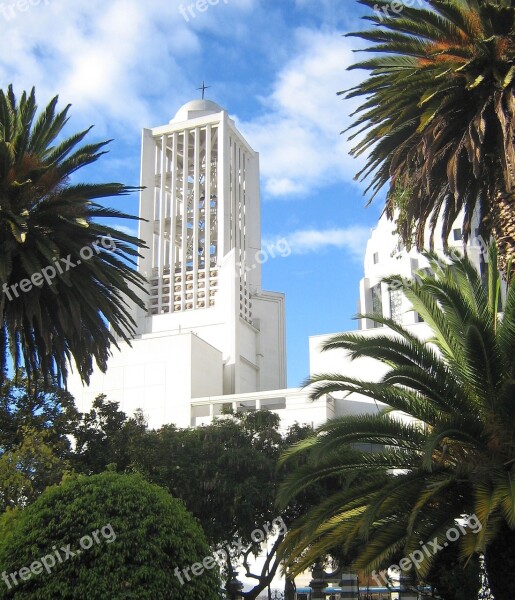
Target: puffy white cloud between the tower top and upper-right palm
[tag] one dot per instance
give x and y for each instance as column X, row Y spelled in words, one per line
column 298, row 134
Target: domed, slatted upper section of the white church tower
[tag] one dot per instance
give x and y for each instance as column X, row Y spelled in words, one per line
column 201, row 203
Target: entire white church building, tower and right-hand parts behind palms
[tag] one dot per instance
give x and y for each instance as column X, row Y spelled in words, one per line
column 211, row 338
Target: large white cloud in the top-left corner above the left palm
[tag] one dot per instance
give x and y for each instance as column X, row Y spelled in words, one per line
column 117, row 62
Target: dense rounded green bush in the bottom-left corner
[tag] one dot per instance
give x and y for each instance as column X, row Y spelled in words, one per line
column 142, row 536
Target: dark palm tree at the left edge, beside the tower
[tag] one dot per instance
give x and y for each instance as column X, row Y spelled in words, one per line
column 56, row 307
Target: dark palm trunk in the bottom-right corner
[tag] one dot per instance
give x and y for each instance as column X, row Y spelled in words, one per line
column 500, row 564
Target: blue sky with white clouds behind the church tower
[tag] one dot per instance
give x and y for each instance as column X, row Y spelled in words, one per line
column 275, row 65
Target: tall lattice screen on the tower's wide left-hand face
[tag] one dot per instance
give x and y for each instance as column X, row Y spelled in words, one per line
column 185, row 239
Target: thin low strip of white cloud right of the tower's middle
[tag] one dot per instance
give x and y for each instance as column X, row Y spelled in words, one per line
column 352, row 240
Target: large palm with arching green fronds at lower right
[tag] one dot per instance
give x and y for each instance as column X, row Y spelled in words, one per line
column 455, row 455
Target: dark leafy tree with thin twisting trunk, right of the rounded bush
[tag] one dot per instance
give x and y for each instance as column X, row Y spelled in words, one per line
column 226, row 474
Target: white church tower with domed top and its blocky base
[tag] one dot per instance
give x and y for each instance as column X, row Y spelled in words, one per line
column 209, row 329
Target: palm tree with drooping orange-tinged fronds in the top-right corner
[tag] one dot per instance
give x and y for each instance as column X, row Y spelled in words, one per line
column 438, row 118
